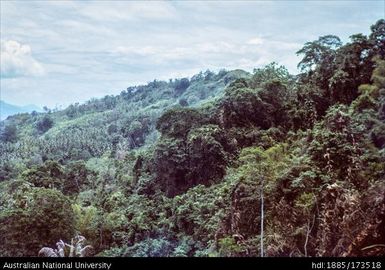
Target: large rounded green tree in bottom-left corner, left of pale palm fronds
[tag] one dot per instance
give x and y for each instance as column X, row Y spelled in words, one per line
column 44, row 213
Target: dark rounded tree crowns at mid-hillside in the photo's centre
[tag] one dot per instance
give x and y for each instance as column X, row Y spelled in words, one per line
column 201, row 159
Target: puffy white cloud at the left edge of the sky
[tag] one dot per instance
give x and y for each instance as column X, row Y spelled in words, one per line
column 17, row 60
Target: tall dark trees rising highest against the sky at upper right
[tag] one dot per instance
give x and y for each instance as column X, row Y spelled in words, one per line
column 338, row 70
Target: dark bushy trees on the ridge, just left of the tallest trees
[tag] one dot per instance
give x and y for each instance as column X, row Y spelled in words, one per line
column 261, row 101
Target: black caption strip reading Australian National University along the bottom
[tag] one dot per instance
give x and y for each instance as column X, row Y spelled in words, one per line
column 330, row 263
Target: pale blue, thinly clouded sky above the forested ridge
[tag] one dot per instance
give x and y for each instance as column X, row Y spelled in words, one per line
column 57, row 52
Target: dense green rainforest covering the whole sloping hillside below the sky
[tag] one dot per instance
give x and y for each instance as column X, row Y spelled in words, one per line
column 226, row 163
